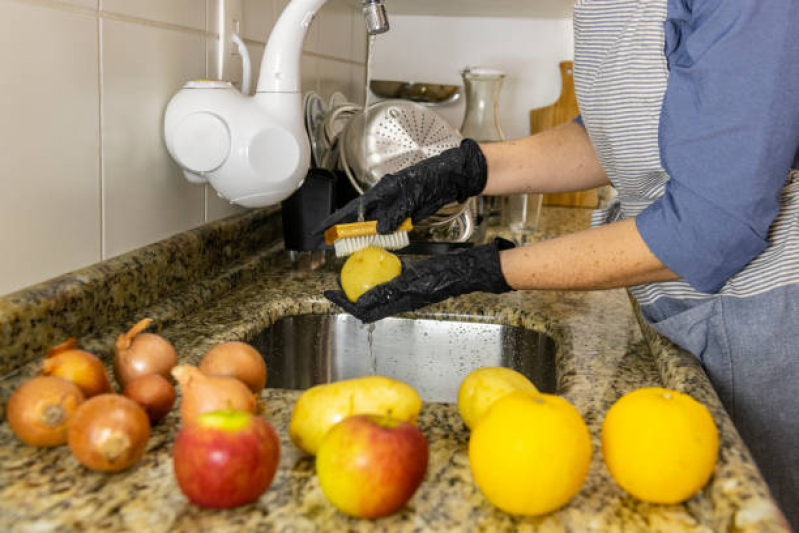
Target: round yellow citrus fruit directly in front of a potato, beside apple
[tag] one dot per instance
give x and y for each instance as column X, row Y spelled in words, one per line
column 530, row 453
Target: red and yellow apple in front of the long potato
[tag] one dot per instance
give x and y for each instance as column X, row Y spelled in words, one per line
column 369, row 466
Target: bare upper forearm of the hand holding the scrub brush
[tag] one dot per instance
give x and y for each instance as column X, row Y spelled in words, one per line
column 561, row 159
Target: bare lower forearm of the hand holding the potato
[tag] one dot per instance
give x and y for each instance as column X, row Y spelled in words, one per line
column 606, row 257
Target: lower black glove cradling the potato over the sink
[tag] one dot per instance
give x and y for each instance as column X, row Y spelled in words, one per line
column 429, row 281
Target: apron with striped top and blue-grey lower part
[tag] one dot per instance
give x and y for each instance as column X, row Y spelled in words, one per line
column 746, row 335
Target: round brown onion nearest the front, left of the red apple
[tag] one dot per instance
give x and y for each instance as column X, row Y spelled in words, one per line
column 108, row 433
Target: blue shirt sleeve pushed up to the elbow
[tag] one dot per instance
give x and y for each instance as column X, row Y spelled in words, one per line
column 729, row 131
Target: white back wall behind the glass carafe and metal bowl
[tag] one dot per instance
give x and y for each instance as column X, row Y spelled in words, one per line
column 528, row 51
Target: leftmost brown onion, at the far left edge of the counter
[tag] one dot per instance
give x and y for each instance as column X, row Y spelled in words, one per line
column 40, row 409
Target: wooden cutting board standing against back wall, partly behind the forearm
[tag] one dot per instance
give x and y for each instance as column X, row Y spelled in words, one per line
column 563, row 110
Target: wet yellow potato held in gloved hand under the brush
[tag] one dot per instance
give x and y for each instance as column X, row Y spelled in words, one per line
column 366, row 269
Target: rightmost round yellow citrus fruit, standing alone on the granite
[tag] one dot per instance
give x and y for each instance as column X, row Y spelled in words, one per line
column 659, row 445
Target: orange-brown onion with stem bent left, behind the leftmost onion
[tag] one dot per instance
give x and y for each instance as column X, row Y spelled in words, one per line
column 78, row 366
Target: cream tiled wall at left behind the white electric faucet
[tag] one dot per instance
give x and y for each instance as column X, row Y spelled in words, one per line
column 85, row 173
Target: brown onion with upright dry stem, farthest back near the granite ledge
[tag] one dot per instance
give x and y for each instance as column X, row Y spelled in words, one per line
column 140, row 354
